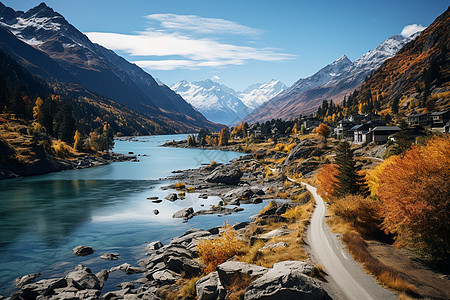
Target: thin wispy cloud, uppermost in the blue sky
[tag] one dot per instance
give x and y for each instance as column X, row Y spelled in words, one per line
column 197, row 24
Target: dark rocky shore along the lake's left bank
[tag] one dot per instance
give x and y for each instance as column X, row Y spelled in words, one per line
column 47, row 164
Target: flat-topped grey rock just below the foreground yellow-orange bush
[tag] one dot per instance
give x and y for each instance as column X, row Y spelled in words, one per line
column 232, row 271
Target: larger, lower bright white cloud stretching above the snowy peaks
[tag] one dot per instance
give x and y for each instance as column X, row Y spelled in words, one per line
column 192, row 52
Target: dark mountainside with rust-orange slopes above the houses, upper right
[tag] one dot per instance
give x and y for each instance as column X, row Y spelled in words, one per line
column 418, row 76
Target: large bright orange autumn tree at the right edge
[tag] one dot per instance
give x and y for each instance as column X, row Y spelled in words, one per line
column 414, row 191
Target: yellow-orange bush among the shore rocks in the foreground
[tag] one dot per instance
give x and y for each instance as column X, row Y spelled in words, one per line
column 218, row 250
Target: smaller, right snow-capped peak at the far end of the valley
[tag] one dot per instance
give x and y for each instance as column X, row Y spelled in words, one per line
column 259, row 93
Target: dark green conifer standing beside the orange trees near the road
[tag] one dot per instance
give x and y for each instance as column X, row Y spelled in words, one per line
column 349, row 181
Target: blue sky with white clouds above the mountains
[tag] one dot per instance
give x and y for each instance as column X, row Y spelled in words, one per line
column 240, row 42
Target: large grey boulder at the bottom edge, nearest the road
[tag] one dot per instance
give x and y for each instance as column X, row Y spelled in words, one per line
column 286, row 280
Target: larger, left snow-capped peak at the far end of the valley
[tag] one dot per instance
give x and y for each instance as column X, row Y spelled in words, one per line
column 218, row 103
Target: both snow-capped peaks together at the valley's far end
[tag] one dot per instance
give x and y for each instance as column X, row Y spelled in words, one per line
column 222, row 104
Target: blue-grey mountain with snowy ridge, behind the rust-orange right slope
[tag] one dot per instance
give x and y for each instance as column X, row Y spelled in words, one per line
column 330, row 83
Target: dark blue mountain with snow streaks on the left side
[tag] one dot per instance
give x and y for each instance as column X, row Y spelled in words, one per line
column 76, row 60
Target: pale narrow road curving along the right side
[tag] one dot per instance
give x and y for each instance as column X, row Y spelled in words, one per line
column 346, row 273
